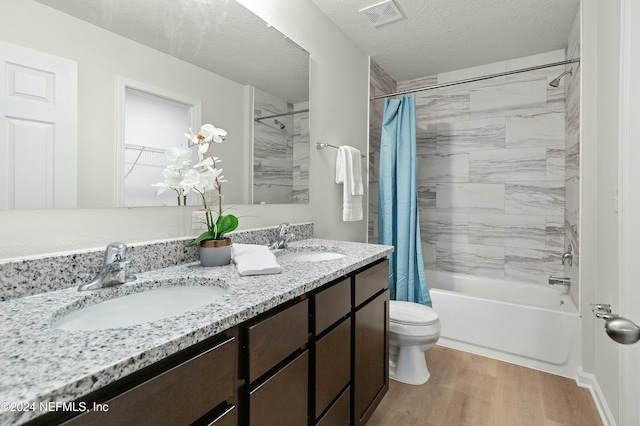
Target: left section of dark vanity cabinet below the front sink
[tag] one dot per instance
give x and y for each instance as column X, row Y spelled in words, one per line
column 196, row 387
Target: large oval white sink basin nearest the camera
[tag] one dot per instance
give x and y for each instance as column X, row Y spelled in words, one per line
column 138, row 308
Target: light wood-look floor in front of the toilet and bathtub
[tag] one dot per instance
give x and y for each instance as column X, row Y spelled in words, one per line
column 467, row 389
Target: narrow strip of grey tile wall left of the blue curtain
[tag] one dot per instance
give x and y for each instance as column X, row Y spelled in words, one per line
column 379, row 84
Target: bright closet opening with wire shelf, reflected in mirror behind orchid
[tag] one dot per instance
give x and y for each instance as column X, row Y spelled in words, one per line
column 152, row 124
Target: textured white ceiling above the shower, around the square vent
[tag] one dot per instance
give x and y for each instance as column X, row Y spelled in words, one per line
column 445, row 35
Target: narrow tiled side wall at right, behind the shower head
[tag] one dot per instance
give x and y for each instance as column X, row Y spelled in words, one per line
column 572, row 160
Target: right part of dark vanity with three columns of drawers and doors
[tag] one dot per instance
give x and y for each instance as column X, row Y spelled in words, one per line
column 323, row 360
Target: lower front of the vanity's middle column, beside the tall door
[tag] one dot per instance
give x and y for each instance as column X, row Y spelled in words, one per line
column 333, row 365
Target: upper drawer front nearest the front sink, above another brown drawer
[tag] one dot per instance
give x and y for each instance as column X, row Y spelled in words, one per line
column 274, row 338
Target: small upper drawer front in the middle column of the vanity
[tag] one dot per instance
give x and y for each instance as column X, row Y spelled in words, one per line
column 332, row 304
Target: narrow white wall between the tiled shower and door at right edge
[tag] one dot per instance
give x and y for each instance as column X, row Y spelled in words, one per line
column 599, row 222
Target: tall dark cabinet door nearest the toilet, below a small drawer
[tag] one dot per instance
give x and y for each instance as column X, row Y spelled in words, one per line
column 371, row 357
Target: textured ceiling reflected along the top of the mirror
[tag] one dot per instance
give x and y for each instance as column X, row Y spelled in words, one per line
column 221, row 36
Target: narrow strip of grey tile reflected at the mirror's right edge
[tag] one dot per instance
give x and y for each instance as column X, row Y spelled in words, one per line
column 301, row 140
